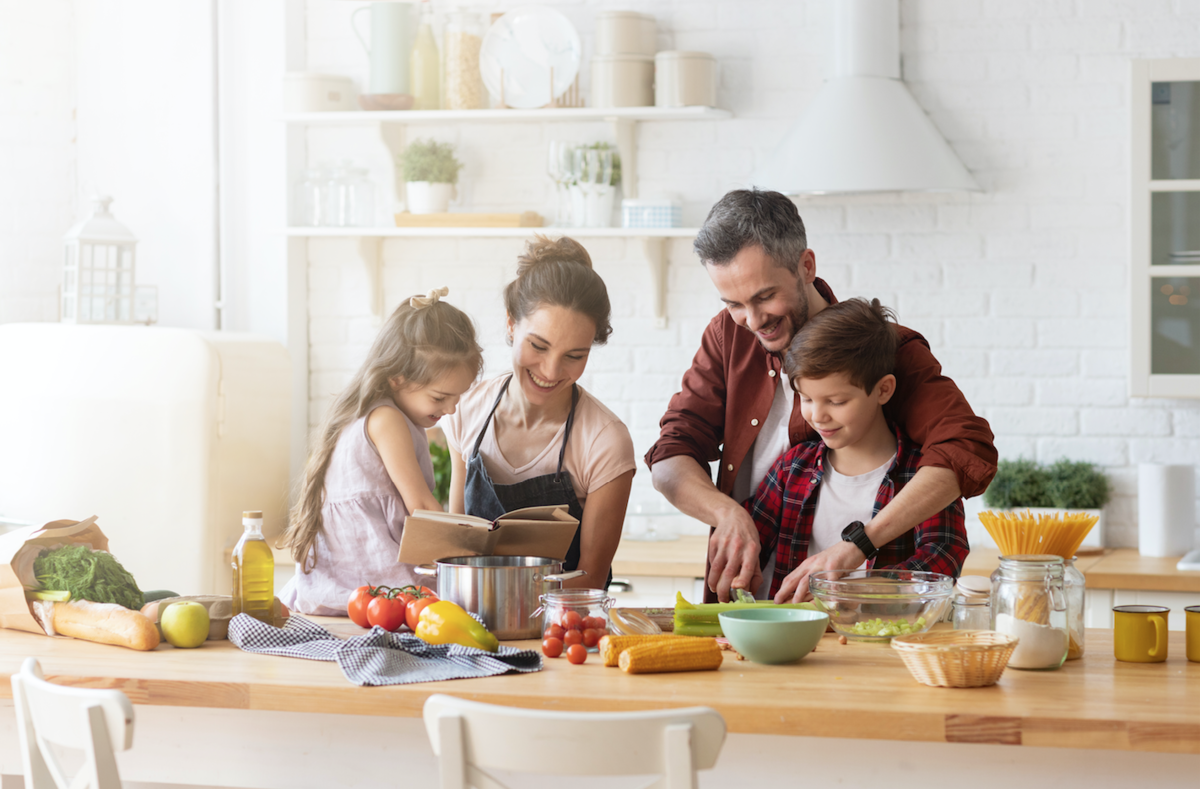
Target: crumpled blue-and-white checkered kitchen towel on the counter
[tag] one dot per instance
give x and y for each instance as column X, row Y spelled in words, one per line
column 379, row 658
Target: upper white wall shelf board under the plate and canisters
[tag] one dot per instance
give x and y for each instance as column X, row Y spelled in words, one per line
column 515, row 116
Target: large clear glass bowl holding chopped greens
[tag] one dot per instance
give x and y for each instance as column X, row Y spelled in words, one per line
column 877, row 605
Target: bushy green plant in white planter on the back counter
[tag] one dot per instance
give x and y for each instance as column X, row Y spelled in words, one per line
column 1065, row 486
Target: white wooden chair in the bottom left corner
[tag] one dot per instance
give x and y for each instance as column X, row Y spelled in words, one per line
column 97, row 722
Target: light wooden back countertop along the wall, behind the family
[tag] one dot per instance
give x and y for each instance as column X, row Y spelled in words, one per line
column 1120, row 569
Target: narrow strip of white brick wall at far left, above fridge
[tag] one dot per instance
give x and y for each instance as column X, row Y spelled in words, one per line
column 38, row 155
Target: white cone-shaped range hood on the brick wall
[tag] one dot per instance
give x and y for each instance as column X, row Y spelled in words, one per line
column 865, row 132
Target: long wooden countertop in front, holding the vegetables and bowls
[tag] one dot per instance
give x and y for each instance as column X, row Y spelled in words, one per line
column 860, row 691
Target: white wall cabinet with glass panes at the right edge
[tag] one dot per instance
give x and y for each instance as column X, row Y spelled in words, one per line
column 1165, row 276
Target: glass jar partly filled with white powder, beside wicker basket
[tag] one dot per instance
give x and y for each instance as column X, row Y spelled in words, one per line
column 1029, row 601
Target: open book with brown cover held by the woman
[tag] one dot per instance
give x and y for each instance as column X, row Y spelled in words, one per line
column 532, row 532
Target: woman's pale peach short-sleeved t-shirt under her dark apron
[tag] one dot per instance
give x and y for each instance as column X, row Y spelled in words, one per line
column 598, row 451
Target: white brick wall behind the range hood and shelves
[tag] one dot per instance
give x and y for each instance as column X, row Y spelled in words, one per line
column 1021, row 290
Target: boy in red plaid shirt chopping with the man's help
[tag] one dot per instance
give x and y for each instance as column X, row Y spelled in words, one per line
column 823, row 492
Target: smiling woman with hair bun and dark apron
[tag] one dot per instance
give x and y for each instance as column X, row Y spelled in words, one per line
column 535, row 437
